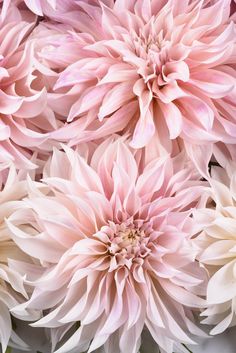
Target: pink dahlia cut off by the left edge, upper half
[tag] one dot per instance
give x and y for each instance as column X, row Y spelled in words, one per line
column 23, row 124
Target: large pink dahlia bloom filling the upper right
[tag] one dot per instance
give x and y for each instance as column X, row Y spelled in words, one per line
column 157, row 68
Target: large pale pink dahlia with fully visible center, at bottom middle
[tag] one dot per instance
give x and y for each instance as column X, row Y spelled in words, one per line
column 113, row 242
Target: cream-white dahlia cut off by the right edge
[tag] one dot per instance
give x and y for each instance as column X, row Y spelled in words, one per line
column 217, row 249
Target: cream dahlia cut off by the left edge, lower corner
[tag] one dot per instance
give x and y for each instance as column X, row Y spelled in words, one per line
column 12, row 290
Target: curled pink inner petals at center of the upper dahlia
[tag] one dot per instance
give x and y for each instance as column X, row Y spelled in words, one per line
column 158, row 60
